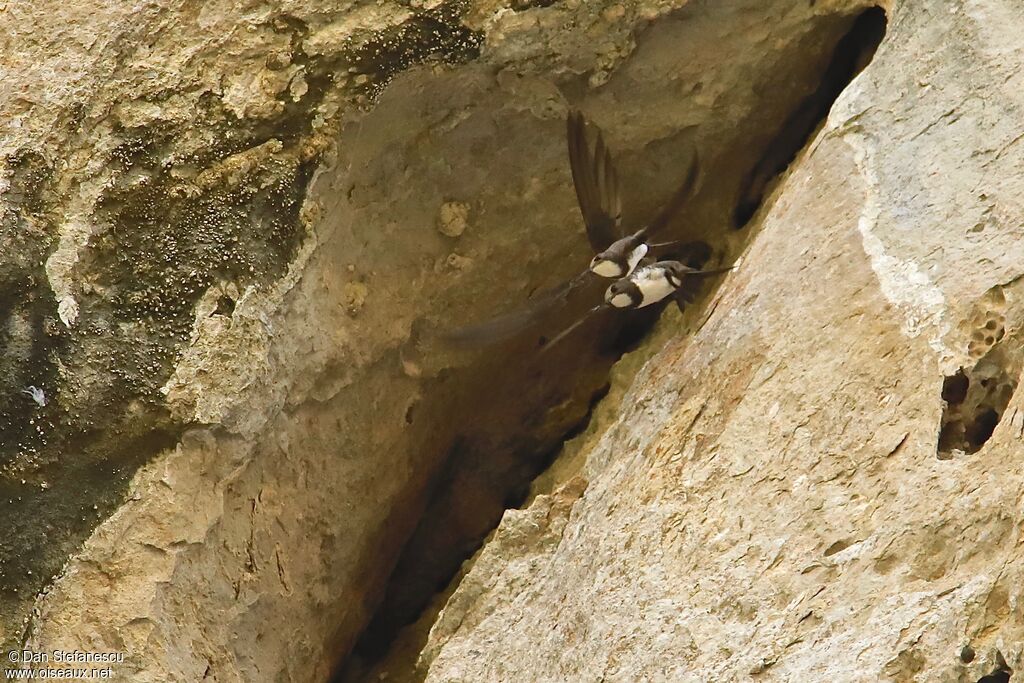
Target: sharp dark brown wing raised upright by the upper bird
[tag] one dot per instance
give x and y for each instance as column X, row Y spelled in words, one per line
column 596, row 185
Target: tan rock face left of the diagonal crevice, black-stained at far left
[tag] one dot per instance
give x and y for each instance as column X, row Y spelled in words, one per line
column 227, row 279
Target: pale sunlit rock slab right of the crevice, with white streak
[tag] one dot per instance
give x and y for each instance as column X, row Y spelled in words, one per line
column 771, row 503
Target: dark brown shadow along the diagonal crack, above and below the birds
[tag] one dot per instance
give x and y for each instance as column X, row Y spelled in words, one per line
column 491, row 469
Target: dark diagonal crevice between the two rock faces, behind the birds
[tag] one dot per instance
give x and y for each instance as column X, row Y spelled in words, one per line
column 484, row 473
